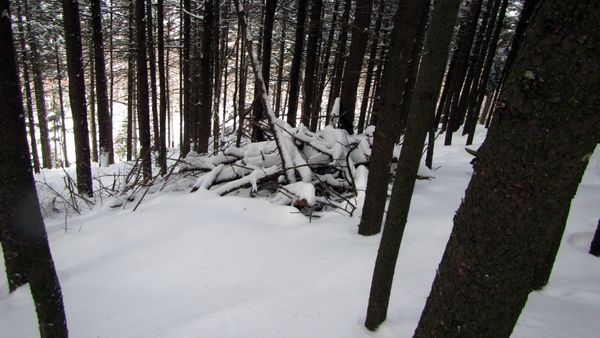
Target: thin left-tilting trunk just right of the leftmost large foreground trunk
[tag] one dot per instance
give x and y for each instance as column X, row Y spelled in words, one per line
column 28, row 96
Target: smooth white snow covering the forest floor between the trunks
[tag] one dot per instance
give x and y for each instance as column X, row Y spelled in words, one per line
column 197, row 265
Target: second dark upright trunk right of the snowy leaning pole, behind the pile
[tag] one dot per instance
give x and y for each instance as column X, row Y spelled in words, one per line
column 296, row 63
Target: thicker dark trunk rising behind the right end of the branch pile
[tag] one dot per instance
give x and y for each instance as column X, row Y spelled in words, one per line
column 358, row 46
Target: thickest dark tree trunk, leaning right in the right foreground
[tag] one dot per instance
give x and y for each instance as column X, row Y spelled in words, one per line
column 534, row 156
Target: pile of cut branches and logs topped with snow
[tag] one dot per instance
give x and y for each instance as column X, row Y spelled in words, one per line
column 320, row 172
